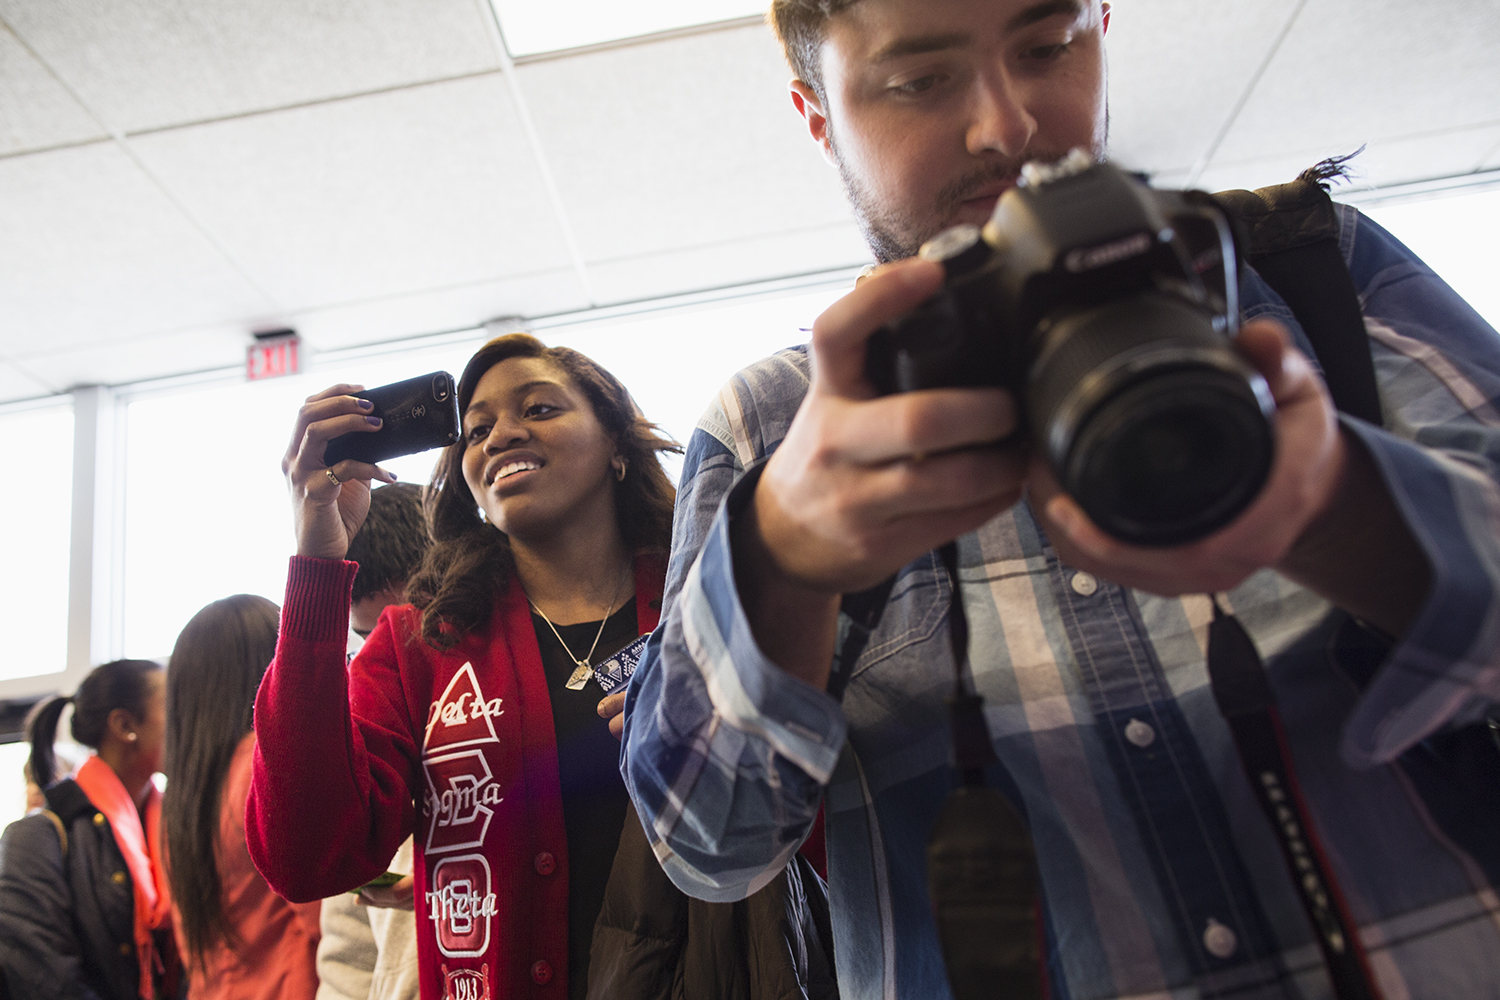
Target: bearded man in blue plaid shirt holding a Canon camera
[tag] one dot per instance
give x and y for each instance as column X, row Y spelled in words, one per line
column 1367, row 573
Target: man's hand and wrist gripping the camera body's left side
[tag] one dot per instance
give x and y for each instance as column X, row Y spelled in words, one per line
column 863, row 485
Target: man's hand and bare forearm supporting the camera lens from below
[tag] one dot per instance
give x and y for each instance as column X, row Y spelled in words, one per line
column 1325, row 519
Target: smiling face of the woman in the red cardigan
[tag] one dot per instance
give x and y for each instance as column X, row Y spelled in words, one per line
column 535, row 455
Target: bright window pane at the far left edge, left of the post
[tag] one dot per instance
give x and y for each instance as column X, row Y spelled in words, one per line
column 37, row 512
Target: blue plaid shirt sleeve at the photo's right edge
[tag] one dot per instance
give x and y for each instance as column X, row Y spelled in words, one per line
column 1439, row 370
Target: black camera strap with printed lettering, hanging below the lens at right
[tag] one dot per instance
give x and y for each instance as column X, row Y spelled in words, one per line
column 1249, row 705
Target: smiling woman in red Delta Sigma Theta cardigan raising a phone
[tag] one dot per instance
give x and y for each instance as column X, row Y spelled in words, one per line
column 472, row 716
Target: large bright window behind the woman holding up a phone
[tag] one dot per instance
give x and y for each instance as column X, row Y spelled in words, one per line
column 206, row 506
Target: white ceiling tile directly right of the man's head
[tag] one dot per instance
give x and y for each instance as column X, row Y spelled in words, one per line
column 1177, row 71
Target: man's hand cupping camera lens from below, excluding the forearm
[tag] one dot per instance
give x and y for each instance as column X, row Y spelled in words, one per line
column 1312, row 458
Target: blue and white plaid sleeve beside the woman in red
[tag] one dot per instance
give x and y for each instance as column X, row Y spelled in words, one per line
column 725, row 755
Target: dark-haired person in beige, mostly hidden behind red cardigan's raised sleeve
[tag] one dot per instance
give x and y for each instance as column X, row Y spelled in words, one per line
column 370, row 950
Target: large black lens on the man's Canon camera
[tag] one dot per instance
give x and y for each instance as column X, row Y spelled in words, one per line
column 1151, row 422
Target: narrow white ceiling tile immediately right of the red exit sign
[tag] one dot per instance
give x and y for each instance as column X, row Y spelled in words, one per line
column 440, row 311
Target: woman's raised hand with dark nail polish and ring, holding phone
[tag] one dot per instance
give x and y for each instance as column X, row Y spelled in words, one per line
column 329, row 506
